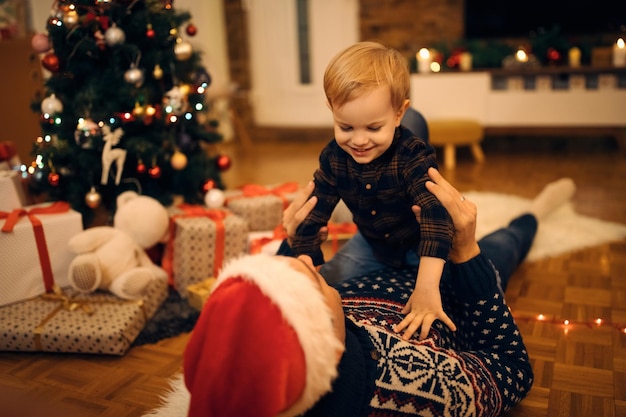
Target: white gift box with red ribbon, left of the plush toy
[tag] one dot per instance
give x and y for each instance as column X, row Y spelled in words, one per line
column 33, row 249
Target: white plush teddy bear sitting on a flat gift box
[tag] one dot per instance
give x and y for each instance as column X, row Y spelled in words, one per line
column 113, row 258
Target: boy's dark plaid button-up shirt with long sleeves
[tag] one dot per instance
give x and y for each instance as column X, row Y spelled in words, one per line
column 380, row 195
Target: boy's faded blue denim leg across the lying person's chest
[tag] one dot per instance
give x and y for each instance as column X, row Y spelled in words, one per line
column 354, row 259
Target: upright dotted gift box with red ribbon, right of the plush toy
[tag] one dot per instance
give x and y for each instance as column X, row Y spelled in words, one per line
column 200, row 241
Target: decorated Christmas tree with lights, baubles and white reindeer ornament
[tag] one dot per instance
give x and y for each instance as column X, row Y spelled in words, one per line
column 124, row 106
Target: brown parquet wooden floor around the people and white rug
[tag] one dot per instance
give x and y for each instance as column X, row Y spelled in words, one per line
column 579, row 372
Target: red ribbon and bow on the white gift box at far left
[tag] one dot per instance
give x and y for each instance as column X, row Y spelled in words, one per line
column 40, row 239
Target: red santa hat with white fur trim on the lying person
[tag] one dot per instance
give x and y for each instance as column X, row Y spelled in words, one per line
column 264, row 344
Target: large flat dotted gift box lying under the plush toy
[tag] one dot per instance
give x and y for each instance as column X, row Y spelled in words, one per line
column 99, row 322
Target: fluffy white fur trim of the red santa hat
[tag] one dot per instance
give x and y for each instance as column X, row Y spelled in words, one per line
column 304, row 308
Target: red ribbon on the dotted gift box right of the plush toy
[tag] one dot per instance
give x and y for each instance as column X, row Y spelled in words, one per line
column 190, row 210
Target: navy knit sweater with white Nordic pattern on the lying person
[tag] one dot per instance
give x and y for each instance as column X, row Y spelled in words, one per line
column 482, row 369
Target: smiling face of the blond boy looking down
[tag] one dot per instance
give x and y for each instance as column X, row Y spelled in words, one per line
column 365, row 126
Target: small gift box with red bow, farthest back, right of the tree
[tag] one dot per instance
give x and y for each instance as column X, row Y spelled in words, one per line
column 262, row 207
